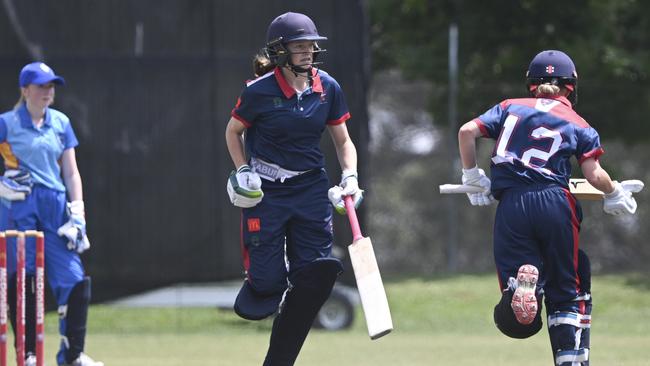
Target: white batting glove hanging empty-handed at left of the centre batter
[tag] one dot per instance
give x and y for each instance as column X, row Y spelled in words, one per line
column 244, row 187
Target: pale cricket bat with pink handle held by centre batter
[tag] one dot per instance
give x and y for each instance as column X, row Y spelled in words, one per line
column 366, row 271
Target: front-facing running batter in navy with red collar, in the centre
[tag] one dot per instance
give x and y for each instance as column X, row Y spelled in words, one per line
column 282, row 186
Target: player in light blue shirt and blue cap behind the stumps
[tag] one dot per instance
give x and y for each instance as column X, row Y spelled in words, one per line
column 37, row 145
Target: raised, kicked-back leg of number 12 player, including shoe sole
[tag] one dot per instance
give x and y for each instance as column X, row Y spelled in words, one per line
column 518, row 262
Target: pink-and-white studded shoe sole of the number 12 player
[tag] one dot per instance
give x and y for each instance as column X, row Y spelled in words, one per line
column 524, row 301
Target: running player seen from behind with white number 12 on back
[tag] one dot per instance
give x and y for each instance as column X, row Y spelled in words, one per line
column 537, row 220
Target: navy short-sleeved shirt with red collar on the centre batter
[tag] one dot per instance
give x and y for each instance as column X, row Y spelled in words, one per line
column 284, row 128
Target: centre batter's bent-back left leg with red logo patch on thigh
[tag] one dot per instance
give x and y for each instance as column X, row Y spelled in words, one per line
column 263, row 241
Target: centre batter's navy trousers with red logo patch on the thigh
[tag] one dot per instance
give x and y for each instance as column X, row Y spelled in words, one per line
column 295, row 212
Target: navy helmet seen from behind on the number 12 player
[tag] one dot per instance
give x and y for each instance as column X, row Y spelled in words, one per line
column 553, row 67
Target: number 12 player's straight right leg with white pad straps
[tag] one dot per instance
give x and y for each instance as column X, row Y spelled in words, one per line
column 567, row 297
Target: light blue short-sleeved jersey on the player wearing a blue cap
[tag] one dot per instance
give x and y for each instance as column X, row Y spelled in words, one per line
column 38, row 151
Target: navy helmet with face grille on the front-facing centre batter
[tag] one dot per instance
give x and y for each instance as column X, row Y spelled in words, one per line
column 286, row 28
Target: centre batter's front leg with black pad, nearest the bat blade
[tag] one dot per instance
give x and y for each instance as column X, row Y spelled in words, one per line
column 312, row 269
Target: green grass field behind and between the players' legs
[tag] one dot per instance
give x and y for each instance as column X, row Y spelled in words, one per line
column 443, row 321
